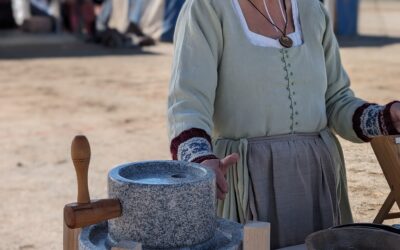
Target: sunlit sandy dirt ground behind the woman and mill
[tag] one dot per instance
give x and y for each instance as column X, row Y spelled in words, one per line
column 119, row 102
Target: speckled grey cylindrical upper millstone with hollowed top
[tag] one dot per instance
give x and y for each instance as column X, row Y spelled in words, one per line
column 165, row 204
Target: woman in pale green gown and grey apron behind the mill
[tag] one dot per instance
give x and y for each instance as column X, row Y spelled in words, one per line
column 264, row 80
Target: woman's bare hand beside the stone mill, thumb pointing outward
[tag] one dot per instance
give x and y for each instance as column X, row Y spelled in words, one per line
column 220, row 168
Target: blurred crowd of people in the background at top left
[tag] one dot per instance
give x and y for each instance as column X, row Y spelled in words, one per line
column 114, row 23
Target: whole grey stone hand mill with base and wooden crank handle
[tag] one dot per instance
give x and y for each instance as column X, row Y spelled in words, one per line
column 151, row 205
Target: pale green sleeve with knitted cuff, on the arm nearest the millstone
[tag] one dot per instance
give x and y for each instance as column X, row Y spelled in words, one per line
column 198, row 44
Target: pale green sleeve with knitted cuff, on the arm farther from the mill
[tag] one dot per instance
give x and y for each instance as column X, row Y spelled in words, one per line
column 350, row 117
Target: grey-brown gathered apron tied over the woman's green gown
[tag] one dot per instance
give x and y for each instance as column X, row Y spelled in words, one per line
column 292, row 186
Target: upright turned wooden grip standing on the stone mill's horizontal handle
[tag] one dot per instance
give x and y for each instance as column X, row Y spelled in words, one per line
column 80, row 154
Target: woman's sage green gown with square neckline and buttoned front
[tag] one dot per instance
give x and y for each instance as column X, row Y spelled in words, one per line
column 236, row 91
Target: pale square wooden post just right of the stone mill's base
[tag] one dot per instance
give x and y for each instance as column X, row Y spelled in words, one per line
column 257, row 236
